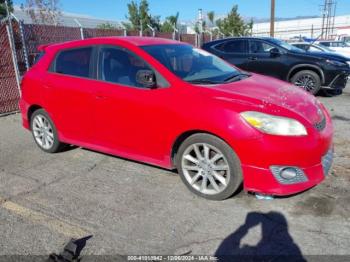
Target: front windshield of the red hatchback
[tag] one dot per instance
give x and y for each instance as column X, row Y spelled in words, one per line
column 192, row 64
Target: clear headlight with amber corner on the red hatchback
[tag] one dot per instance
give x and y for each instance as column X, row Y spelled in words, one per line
column 274, row 125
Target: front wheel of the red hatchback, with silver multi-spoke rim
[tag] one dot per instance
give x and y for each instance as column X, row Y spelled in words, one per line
column 209, row 167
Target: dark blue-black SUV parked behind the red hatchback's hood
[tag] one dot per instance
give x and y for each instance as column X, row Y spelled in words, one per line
column 276, row 58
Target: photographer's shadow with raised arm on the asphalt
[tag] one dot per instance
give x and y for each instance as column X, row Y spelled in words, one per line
column 276, row 244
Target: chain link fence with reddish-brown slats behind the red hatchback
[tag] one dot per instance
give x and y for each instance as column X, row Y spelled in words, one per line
column 27, row 37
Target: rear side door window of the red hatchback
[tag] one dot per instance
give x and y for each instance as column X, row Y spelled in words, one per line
column 75, row 62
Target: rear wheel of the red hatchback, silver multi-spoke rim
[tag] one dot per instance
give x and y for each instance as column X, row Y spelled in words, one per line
column 44, row 132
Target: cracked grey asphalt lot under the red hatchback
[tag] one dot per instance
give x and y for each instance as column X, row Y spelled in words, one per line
column 132, row 208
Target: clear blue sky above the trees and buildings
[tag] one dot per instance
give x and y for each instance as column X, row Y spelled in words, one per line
column 116, row 9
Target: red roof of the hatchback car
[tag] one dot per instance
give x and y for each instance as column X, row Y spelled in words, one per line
column 133, row 40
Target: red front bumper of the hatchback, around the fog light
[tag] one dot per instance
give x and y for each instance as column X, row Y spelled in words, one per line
column 312, row 155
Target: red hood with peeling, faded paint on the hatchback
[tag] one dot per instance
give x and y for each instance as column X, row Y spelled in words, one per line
column 270, row 95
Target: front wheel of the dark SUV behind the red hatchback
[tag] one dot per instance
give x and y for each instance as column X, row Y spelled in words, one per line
column 308, row 80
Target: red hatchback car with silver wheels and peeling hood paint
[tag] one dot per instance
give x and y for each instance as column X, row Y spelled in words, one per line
column 172, row 105
